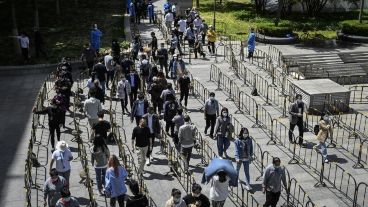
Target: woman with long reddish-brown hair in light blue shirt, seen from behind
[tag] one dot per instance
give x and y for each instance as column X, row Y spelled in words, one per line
column 114, row 182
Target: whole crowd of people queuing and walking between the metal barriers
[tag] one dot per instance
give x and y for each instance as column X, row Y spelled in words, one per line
column 150, row 80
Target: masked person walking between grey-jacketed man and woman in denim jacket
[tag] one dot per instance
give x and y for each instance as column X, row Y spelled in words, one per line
column 223, row 130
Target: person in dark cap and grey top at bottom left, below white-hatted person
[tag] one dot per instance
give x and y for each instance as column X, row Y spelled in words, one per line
column 52, row 188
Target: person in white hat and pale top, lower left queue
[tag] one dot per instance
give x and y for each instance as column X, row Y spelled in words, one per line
column 62, row 157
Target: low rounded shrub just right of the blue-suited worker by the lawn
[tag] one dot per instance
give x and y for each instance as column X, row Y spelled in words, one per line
column 270, row 29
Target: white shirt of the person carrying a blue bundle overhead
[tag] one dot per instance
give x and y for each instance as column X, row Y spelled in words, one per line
column 219, row 191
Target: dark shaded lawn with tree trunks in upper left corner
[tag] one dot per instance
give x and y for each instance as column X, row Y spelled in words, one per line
column 64, row 35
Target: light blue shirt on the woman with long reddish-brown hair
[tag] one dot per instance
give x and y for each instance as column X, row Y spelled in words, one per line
column 115, row 185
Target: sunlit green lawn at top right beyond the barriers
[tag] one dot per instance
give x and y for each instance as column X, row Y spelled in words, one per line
column 235, row 17
